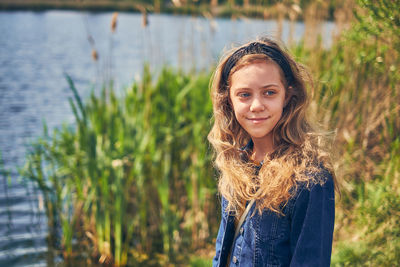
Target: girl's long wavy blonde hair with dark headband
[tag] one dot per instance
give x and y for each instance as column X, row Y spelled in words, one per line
column 298, row 154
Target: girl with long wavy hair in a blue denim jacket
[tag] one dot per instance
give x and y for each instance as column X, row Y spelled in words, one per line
column 276, row 181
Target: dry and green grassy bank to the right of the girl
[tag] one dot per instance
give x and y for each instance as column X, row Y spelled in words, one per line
column 358, row 95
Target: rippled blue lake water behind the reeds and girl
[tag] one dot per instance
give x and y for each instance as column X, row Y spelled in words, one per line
column 38, row 48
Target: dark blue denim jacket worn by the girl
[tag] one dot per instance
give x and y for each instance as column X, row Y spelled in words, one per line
column 300, row 237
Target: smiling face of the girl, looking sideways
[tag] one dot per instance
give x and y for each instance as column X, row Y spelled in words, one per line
column 257, row 94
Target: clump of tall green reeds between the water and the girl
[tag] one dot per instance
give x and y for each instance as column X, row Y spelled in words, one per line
column 132, row 181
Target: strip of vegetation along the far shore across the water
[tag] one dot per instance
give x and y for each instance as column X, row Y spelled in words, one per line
column 264, row 9
